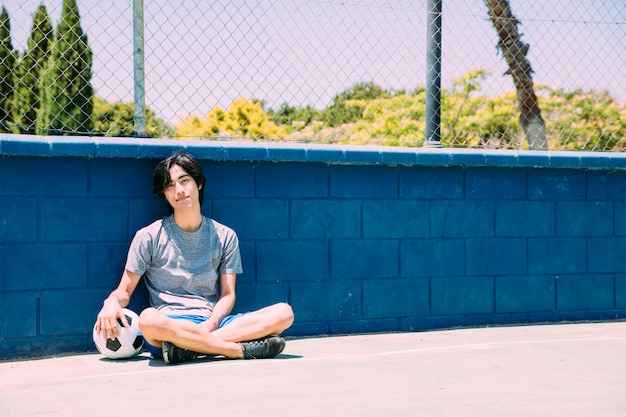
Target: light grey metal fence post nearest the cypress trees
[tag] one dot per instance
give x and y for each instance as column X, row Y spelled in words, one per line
column 139, row 70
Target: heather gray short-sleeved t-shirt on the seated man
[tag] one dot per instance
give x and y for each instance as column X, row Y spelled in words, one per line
column 182, row 268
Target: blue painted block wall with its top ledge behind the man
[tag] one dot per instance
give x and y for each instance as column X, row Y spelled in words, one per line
column 355, row 239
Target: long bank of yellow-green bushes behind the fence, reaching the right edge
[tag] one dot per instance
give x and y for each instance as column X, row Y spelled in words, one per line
column 574, row 120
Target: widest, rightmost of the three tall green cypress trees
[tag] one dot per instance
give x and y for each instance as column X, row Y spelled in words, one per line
column 67, row 93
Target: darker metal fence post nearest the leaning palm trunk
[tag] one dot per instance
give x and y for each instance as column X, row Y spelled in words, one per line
column 433, row 76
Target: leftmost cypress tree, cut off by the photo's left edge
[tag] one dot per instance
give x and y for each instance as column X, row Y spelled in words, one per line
column 8, row 57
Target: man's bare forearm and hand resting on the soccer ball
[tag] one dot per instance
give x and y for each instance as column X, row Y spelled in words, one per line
column 112, row 307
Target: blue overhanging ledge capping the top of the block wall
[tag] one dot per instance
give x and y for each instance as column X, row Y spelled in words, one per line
column 98, row 147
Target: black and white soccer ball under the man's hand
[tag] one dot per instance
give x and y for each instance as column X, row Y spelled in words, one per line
column 127, row 344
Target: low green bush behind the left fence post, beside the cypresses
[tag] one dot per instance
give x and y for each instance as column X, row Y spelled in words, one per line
column 117, row 119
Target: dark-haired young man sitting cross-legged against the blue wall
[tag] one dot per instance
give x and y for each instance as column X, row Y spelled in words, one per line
column 183, row 258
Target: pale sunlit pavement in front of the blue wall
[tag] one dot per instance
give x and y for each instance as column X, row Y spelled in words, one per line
column 553, row 370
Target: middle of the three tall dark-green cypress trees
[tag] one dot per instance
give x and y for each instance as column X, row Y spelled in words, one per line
column 29, row 72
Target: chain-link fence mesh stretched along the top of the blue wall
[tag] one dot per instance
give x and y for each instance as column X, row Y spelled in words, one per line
column 321, row 71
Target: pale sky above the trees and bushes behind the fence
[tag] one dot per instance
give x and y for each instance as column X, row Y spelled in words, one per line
column 205, row 53
